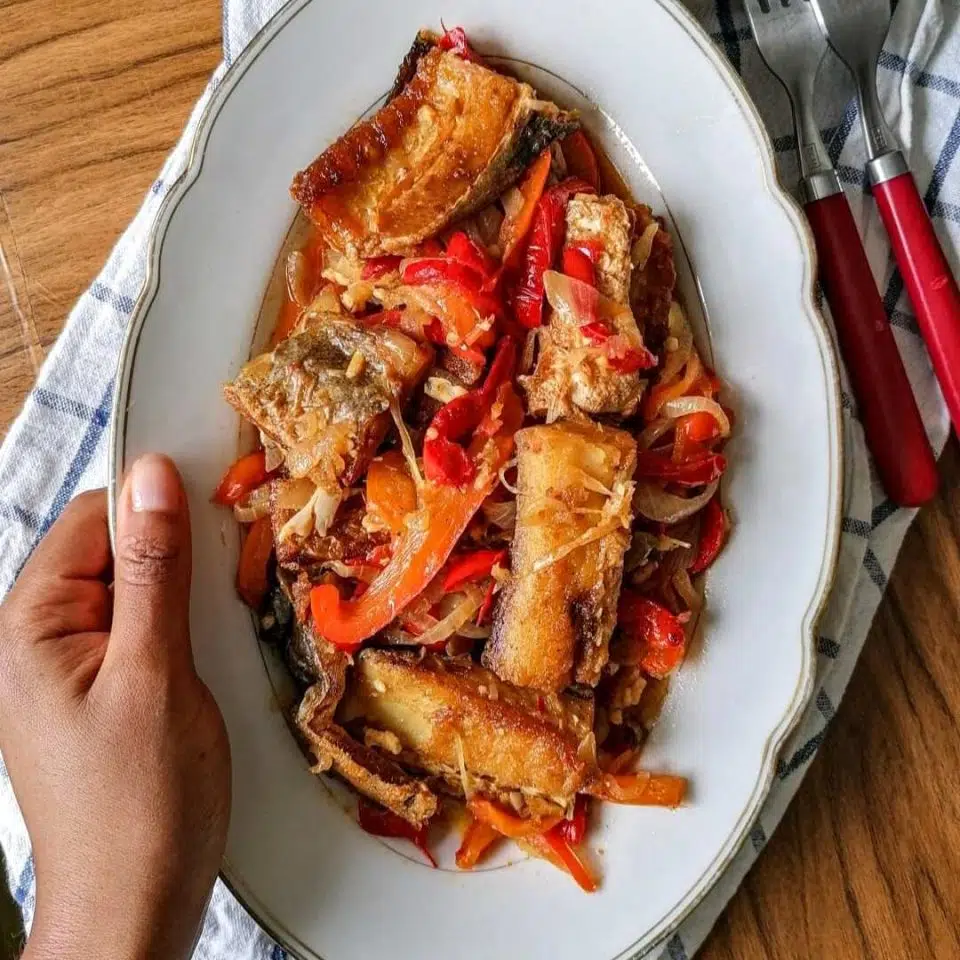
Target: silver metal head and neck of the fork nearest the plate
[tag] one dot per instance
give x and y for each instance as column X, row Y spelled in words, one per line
column 793, row 47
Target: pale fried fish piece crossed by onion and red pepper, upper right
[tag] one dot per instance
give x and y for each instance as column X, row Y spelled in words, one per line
column 572, row 377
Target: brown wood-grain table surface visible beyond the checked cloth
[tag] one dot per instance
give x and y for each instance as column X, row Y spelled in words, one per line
column 866, row 863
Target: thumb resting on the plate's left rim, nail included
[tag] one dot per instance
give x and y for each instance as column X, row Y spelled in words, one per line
column 152, row 566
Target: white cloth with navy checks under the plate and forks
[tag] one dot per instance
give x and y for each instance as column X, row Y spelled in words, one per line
column 57, row 446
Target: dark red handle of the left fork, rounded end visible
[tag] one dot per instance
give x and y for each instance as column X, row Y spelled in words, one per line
column 888, row 411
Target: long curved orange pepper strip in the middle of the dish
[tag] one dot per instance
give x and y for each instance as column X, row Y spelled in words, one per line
column 428, row 538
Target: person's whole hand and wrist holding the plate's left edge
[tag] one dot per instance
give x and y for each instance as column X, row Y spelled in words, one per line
column 116, row 749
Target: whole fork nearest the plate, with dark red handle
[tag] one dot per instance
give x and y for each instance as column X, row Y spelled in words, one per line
column 793, row 47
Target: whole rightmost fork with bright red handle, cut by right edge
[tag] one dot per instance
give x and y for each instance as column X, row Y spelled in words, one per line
column 856, row 30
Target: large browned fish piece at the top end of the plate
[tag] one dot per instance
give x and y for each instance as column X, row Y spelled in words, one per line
column 452, row 140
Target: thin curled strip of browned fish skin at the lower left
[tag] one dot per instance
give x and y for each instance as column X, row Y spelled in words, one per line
column 368, row 771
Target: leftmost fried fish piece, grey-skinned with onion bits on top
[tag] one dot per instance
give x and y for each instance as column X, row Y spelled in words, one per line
column 323, row 396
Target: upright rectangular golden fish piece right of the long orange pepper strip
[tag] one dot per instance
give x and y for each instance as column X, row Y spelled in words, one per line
column 553, row 625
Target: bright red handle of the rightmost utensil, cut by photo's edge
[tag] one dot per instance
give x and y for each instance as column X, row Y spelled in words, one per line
column 932, row 288
